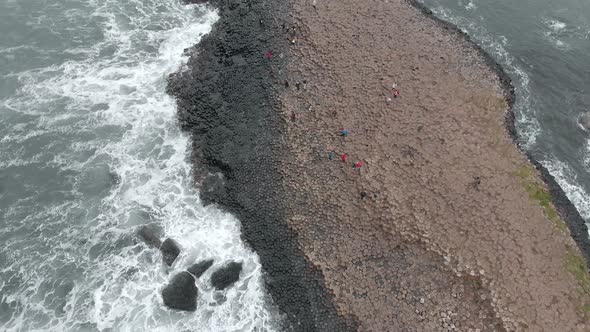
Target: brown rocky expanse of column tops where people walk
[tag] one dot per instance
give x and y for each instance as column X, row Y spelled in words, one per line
column 446, row 226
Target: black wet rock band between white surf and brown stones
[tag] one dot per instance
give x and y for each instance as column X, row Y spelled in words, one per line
column 227, row 102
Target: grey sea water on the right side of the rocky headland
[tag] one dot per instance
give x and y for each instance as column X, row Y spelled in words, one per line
column 545, row 48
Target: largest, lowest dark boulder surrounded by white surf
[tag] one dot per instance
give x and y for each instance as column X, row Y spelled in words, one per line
column 181, row 292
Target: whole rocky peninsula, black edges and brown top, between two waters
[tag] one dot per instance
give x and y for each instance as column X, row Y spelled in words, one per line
column 367, row 149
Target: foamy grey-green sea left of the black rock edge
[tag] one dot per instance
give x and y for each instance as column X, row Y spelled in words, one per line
column 90, row 151
